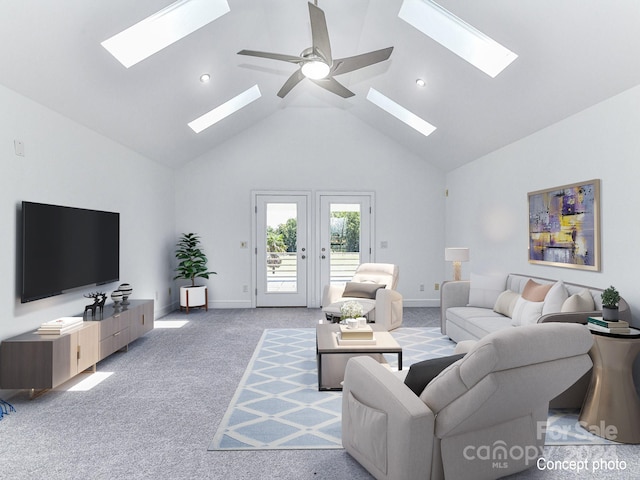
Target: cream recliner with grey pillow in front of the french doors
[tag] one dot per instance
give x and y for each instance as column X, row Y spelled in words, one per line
column 374, row 287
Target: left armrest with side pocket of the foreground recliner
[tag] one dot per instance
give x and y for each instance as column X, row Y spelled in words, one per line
column 385, row 426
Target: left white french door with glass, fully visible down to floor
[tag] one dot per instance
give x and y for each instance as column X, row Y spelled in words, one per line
column 281, row 250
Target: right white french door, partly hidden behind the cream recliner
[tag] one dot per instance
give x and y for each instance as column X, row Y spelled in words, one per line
column 345, row 226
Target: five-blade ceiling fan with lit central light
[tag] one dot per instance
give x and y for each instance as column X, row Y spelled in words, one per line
column 316, row 62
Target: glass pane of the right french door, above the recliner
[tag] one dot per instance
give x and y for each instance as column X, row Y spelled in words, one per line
column 345, row 241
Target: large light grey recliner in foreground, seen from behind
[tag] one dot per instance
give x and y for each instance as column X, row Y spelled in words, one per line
column 483, row 417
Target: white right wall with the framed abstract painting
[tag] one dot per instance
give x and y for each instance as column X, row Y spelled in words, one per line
column 487, row 207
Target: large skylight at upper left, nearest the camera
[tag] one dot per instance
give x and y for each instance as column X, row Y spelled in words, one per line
column 163, row 28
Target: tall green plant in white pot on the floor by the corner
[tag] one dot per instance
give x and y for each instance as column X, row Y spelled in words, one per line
column 192, row 264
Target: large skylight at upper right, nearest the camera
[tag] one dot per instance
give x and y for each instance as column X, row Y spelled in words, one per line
column 458, row 36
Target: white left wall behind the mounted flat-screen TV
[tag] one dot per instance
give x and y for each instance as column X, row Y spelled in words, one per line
column 67, row 164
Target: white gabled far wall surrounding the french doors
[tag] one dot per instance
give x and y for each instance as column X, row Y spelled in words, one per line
column 318, row 150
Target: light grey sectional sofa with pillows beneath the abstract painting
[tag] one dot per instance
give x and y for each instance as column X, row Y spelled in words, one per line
column 468, row 308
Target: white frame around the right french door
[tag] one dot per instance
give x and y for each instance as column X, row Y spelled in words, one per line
column 316, row 299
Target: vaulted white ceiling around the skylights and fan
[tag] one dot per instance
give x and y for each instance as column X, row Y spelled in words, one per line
column 571, row 55
